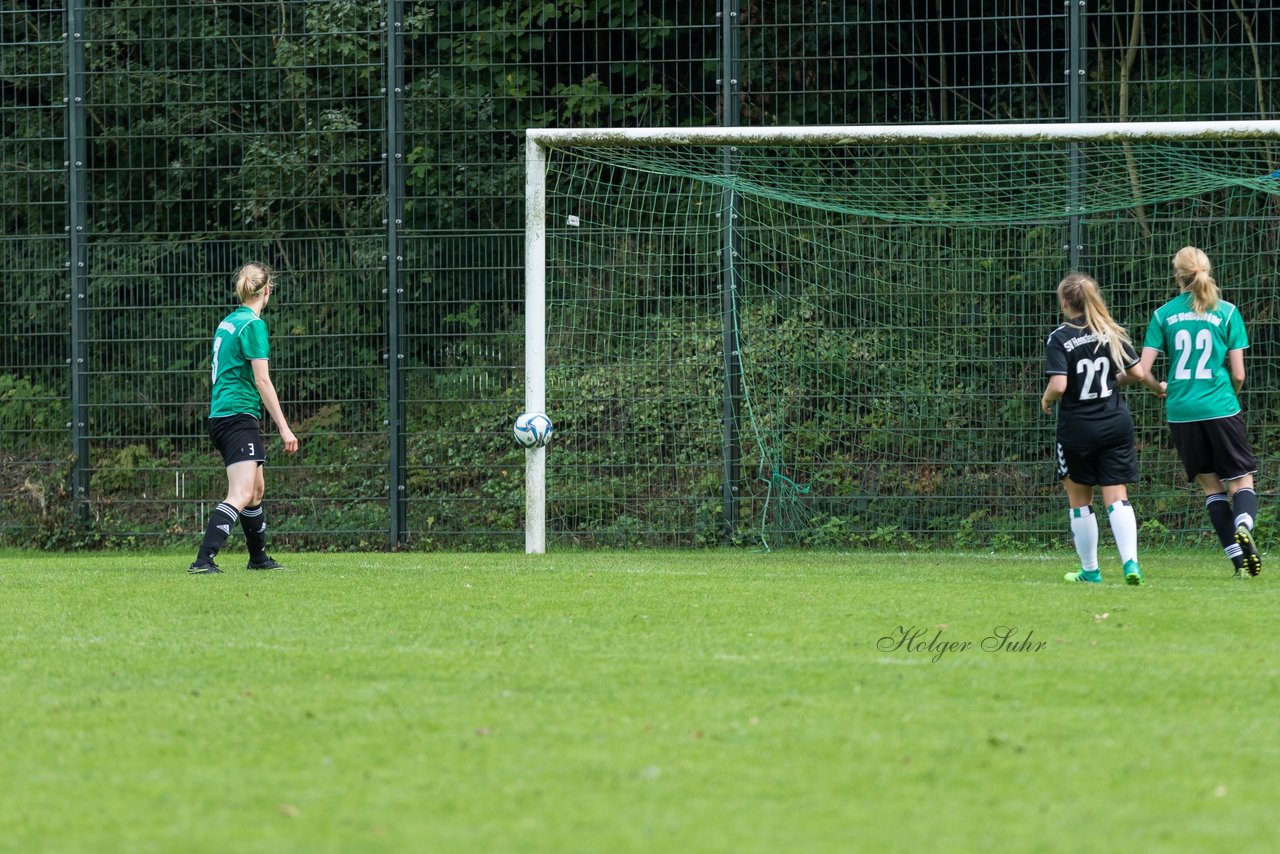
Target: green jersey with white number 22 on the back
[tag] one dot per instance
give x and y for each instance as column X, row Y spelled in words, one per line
column 1196, row 344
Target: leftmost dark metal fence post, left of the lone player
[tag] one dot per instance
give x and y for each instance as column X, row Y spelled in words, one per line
column 77, row 249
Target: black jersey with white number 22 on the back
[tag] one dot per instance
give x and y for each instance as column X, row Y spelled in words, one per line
column 1092, row 413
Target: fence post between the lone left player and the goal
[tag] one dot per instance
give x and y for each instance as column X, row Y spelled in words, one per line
column 395, row 258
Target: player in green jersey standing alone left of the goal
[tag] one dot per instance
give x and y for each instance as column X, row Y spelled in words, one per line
column 243, row 389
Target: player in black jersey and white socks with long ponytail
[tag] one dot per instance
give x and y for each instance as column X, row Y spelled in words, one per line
column 1087, row 360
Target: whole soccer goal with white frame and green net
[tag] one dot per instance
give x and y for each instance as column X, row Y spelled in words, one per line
column 835, row 336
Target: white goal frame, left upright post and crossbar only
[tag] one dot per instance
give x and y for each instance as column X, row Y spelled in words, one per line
column 538, row 141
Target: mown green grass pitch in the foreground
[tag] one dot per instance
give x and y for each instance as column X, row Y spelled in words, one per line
column 634, row 701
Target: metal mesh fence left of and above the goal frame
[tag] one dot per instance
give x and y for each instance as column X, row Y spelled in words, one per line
column 371, row 150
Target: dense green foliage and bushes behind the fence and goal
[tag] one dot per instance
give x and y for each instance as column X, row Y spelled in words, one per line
column 217, row 133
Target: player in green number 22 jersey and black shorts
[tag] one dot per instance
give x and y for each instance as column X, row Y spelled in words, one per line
column 1205, row 340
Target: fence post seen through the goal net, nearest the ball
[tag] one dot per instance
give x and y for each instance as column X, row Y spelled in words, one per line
column 730, row 245
